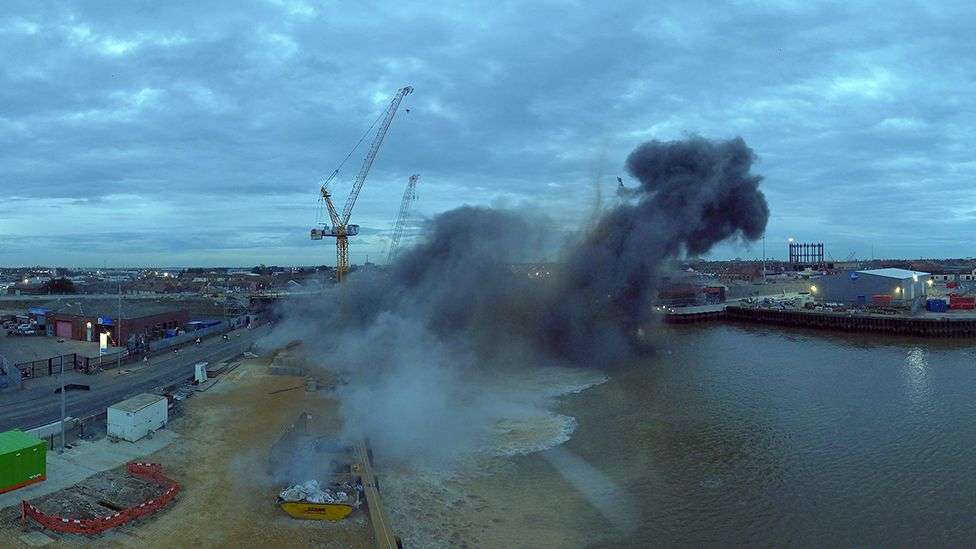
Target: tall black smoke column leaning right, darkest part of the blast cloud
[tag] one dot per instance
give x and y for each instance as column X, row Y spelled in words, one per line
column 693, row 194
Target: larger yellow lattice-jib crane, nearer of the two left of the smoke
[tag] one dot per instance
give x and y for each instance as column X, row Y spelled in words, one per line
column 338, row 226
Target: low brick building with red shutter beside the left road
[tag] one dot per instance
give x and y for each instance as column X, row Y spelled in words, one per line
column 141, row 322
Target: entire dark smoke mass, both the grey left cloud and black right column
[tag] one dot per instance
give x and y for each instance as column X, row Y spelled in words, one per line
column 693, row 194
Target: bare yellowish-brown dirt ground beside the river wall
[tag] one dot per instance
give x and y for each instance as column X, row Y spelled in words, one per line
column 222, row 462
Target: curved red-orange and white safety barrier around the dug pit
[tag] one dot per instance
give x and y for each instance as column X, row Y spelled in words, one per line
column 88, row 527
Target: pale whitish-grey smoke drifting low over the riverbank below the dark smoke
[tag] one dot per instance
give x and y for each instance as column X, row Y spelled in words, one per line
column 422, row 398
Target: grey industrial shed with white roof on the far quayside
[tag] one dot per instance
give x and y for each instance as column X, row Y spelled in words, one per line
column 878, row 286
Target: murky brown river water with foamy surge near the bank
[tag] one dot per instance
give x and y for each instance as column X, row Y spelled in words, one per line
column 743, row 435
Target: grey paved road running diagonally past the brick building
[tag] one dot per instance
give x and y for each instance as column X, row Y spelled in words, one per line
column 39, row 405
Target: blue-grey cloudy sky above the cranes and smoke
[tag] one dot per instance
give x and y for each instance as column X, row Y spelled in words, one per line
column 178, row 133
